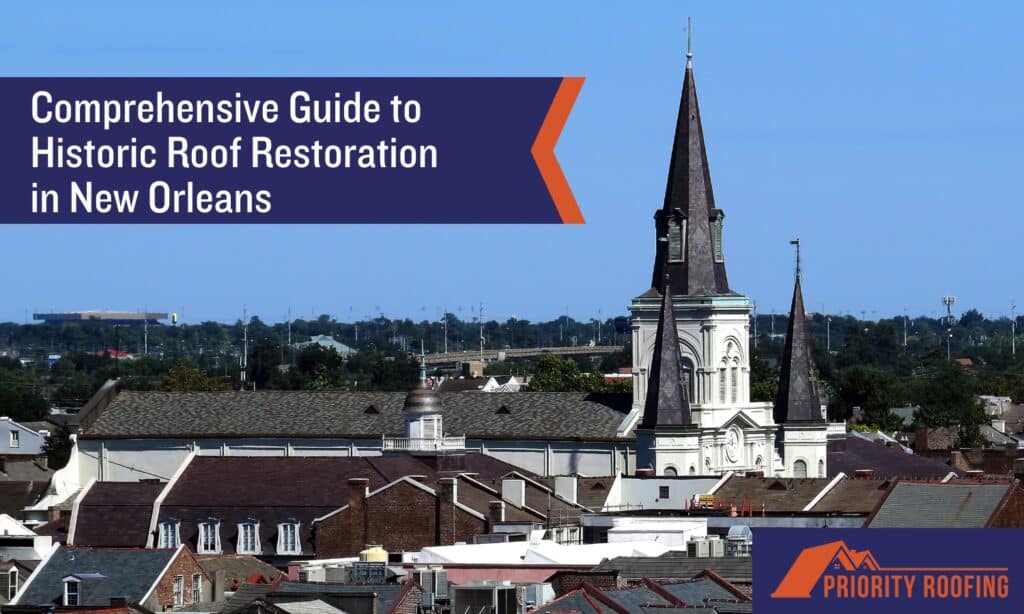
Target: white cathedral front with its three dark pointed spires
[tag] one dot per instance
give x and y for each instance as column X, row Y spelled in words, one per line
column 692, row 381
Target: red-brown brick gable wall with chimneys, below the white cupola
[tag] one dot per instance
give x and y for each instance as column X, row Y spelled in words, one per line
column 402, row 518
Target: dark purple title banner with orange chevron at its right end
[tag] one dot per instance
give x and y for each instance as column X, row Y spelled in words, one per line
column 284, row 151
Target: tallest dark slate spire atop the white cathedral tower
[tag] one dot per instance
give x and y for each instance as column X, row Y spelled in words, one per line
column 689, row 227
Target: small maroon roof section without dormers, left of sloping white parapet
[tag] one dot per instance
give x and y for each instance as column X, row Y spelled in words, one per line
column 116, row 514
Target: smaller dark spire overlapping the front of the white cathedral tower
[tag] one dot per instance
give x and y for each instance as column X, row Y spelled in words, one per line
column 668, row 403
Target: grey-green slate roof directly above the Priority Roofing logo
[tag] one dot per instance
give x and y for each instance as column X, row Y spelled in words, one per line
column 950, row 506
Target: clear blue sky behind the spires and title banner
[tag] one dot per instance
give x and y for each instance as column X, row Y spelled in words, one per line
column 887, row 137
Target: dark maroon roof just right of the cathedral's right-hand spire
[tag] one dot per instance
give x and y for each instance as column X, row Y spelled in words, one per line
column 849, row 454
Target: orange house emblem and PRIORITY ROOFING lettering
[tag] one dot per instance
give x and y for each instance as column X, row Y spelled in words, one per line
column 835, row 572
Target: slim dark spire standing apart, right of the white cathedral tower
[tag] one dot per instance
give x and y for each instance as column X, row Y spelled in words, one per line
column 798, row 399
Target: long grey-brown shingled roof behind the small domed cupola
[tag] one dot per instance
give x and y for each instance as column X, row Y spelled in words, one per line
column 544, row 416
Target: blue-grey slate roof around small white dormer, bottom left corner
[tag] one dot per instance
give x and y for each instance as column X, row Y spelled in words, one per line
column 127, row 574
